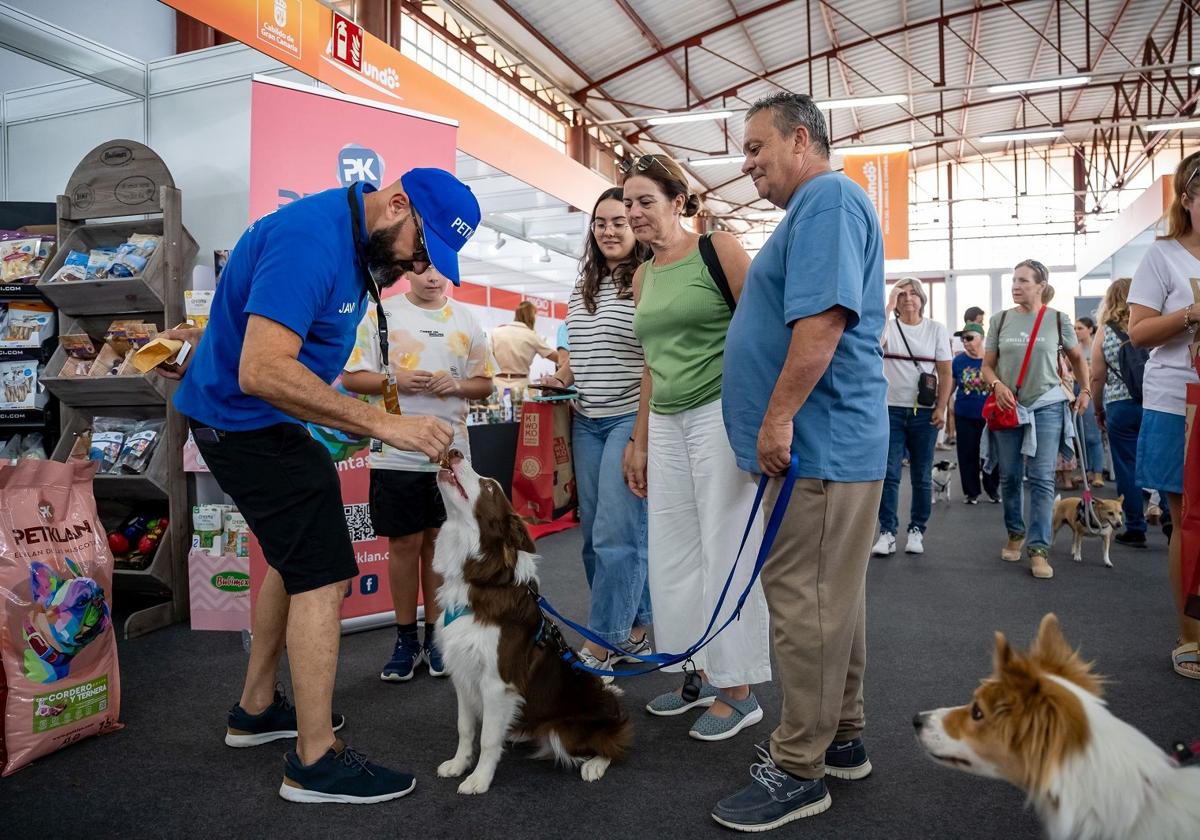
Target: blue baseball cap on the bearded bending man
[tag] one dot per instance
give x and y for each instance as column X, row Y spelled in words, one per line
column 449, row 214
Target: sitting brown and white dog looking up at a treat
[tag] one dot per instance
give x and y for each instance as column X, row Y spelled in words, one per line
column 502, row 656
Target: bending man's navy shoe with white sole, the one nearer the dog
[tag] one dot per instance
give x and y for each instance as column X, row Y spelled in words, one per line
column 343, row 776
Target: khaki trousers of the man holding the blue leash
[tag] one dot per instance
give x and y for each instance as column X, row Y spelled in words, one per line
column 815, row 583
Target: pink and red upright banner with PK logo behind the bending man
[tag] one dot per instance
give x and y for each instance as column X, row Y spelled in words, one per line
column 304, row 141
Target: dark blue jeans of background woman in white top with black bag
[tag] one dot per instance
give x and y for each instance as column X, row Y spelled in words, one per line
column 911, row 431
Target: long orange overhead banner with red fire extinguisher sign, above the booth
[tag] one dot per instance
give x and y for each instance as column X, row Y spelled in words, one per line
column 302, row 34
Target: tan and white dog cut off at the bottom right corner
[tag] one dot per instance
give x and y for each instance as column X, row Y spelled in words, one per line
column 1040, row 723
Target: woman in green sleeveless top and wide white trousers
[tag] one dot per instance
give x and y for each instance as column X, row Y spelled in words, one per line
column 680, row 457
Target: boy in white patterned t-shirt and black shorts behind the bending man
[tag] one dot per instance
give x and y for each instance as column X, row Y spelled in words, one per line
column 441, row 359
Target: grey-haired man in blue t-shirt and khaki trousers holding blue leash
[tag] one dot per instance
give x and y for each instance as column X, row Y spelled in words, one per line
column 805, row 350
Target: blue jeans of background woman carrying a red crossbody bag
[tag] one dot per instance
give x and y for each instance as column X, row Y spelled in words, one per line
column 1013, row 467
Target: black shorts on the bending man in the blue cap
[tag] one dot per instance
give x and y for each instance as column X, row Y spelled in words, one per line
column 286, row 485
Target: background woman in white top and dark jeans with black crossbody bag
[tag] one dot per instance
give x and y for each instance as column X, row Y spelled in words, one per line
column 917, row 367
